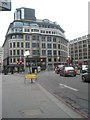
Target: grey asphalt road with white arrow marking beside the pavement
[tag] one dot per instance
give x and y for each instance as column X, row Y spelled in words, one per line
column 71, row 89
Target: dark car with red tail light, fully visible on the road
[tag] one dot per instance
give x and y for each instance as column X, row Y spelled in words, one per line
column 67, row 71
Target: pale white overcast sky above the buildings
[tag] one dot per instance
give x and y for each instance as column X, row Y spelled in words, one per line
column 71, row 15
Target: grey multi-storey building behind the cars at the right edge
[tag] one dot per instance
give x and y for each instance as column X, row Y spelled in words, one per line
column 79, row 49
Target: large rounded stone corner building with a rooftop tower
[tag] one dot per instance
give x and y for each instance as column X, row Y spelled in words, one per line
column 45, row 41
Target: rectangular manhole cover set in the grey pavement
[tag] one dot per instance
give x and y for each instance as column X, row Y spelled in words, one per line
column 31, row 112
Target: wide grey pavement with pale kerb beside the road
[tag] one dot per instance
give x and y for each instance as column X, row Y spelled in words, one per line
column 31, row 100
